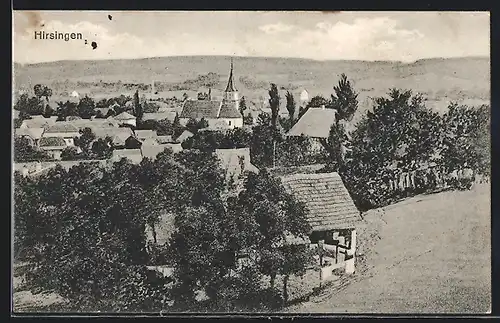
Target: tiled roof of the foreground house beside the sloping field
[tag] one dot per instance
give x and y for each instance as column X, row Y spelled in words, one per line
column 329, row 205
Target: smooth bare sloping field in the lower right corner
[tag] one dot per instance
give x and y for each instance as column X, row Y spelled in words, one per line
column 433, row 257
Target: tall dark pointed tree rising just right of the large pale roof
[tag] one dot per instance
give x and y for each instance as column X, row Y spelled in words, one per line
column 345, row 99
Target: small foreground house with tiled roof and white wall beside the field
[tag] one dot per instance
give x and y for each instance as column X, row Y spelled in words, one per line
column 331, row 213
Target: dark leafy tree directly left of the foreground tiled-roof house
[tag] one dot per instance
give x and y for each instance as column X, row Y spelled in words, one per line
column 274, row 215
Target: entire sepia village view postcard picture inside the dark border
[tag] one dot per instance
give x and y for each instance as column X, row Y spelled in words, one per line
column 225, row 162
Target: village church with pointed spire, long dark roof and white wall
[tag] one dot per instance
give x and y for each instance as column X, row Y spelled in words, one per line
column 223, row 114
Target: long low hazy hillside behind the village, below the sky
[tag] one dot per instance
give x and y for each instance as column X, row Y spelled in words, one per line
column 441, row 80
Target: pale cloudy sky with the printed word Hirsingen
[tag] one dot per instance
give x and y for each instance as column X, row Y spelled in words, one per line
column 370, row 36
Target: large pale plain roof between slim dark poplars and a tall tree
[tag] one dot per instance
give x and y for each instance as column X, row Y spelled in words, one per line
column 315, row 123
